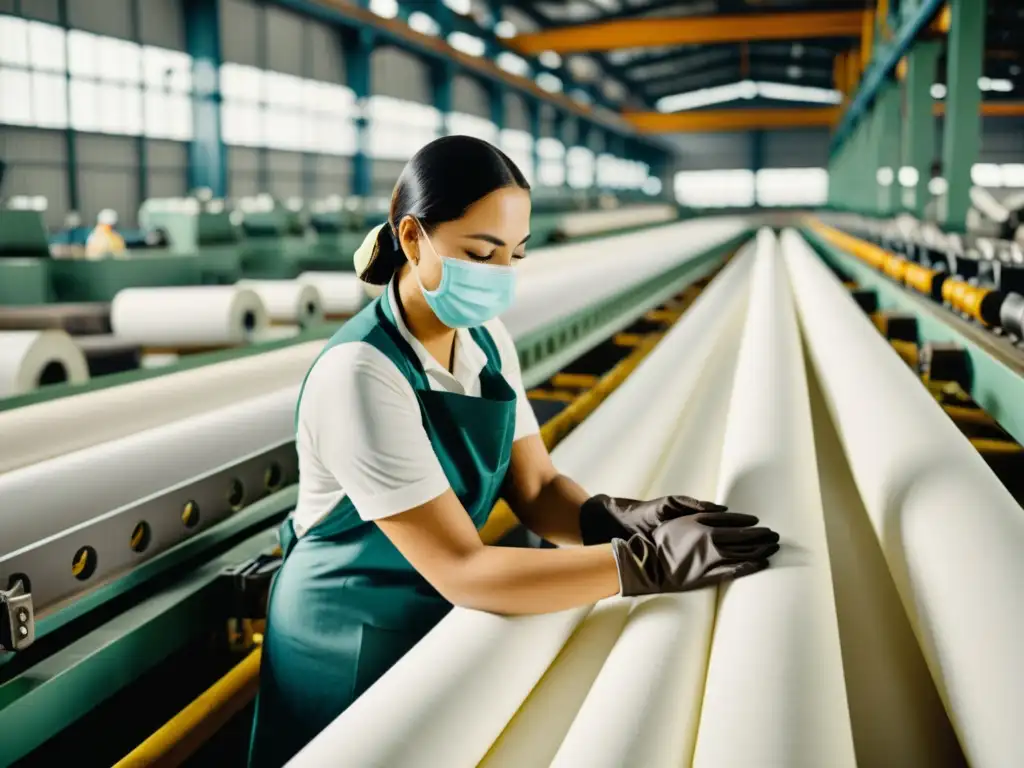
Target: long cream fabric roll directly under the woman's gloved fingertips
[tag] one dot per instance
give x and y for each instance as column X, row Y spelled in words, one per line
column 776, row 663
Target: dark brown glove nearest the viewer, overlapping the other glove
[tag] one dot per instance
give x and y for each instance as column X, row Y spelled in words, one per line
column 693, row 552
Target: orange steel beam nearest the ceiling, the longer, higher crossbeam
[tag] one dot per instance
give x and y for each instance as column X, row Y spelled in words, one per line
column 649, row 33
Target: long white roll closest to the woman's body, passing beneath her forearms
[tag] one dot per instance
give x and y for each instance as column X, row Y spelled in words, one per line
column 472, row 674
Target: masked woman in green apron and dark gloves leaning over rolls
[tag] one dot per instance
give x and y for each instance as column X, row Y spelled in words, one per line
column 410, row 425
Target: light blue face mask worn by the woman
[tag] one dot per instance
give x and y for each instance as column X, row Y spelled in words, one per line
column 470, row 294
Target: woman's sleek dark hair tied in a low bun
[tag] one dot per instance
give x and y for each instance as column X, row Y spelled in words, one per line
column 439, row 185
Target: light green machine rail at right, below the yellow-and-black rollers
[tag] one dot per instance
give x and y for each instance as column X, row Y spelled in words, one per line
column 997, row 387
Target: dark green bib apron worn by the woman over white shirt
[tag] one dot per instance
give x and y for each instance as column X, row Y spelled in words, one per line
column 346, row 605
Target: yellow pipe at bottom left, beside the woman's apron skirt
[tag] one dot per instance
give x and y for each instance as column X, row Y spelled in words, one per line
column 191, row 729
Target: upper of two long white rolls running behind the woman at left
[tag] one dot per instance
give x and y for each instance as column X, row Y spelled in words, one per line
column 41, row 432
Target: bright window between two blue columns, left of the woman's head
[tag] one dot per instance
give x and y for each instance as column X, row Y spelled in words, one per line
column 284, row 112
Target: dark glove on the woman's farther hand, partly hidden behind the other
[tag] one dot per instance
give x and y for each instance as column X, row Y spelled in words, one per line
column 604, row 518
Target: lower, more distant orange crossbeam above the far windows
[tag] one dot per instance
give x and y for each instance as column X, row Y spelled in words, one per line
column 706, row 121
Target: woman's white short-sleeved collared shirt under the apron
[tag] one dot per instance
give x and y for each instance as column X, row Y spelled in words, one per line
column 361, row 432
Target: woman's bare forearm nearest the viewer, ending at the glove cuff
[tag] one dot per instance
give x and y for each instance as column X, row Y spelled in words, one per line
column 514, row 581
